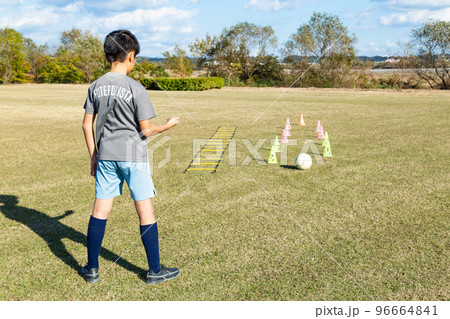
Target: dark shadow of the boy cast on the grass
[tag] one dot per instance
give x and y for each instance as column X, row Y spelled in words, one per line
column 53, row 232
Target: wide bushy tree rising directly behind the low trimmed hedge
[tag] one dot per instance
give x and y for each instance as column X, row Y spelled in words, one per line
column 240, row 51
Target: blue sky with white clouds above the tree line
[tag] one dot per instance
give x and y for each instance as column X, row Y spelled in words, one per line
column 160, row 24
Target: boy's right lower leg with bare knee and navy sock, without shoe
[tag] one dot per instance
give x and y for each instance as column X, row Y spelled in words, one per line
column 149, row 232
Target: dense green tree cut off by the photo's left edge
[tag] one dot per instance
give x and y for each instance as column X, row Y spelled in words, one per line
column 13, row 67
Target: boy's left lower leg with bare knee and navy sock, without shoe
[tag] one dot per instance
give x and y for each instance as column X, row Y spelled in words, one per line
column 96, row 230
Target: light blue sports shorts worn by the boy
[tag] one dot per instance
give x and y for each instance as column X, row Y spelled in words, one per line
column 111, row 174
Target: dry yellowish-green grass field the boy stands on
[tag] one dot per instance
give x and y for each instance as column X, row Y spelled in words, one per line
column 372, row 223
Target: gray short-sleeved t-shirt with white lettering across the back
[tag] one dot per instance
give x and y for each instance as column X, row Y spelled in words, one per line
column 119, row 102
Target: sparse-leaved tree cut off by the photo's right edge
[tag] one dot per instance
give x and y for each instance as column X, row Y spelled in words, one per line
column 432, row 41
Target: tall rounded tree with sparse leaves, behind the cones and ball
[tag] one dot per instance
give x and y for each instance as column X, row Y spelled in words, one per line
column 326, row 40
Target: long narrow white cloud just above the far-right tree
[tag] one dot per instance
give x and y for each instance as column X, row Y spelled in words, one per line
column 414, row 17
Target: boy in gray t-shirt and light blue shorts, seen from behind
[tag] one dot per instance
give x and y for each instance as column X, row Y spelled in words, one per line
column 123, row 110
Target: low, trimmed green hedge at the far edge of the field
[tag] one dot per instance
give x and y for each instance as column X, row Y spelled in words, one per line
column 183, row 84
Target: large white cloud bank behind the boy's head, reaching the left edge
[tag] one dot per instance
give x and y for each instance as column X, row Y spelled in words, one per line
column 157, row 28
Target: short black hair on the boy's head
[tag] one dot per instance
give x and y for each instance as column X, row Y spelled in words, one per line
column 118, row 44
